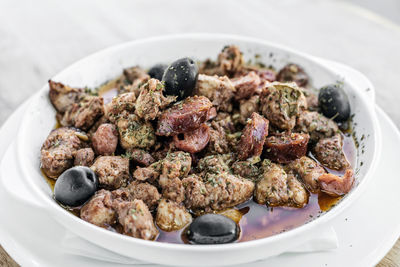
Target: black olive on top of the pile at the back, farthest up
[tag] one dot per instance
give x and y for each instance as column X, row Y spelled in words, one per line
column 180, row 78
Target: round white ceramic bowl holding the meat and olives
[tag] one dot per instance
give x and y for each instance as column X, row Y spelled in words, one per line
column 107, row 64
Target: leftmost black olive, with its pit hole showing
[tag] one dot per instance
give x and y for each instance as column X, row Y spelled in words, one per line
column 75, row 186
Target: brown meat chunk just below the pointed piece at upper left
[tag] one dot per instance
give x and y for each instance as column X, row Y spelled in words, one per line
column 84, row 114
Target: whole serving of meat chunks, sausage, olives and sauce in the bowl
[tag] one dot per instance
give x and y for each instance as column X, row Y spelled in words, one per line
column 200, row 152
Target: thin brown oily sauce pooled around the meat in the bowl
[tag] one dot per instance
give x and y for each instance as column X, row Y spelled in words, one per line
column 258, row 221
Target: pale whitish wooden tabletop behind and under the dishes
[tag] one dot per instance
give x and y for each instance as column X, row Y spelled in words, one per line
column 40, row 38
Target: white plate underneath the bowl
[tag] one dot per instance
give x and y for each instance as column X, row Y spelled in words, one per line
column 366, row 230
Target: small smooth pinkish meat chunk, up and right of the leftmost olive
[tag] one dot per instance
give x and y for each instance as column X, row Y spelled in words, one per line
column 105, row 139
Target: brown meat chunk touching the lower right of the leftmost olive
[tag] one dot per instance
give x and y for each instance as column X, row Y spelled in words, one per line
column 98, row 210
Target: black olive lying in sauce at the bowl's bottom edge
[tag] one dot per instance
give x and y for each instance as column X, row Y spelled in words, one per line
column 212, row 229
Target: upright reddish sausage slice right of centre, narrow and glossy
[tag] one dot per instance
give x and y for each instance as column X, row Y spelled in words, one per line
column 253, row 138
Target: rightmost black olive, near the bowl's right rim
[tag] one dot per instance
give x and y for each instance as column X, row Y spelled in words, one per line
column 334, row 102
